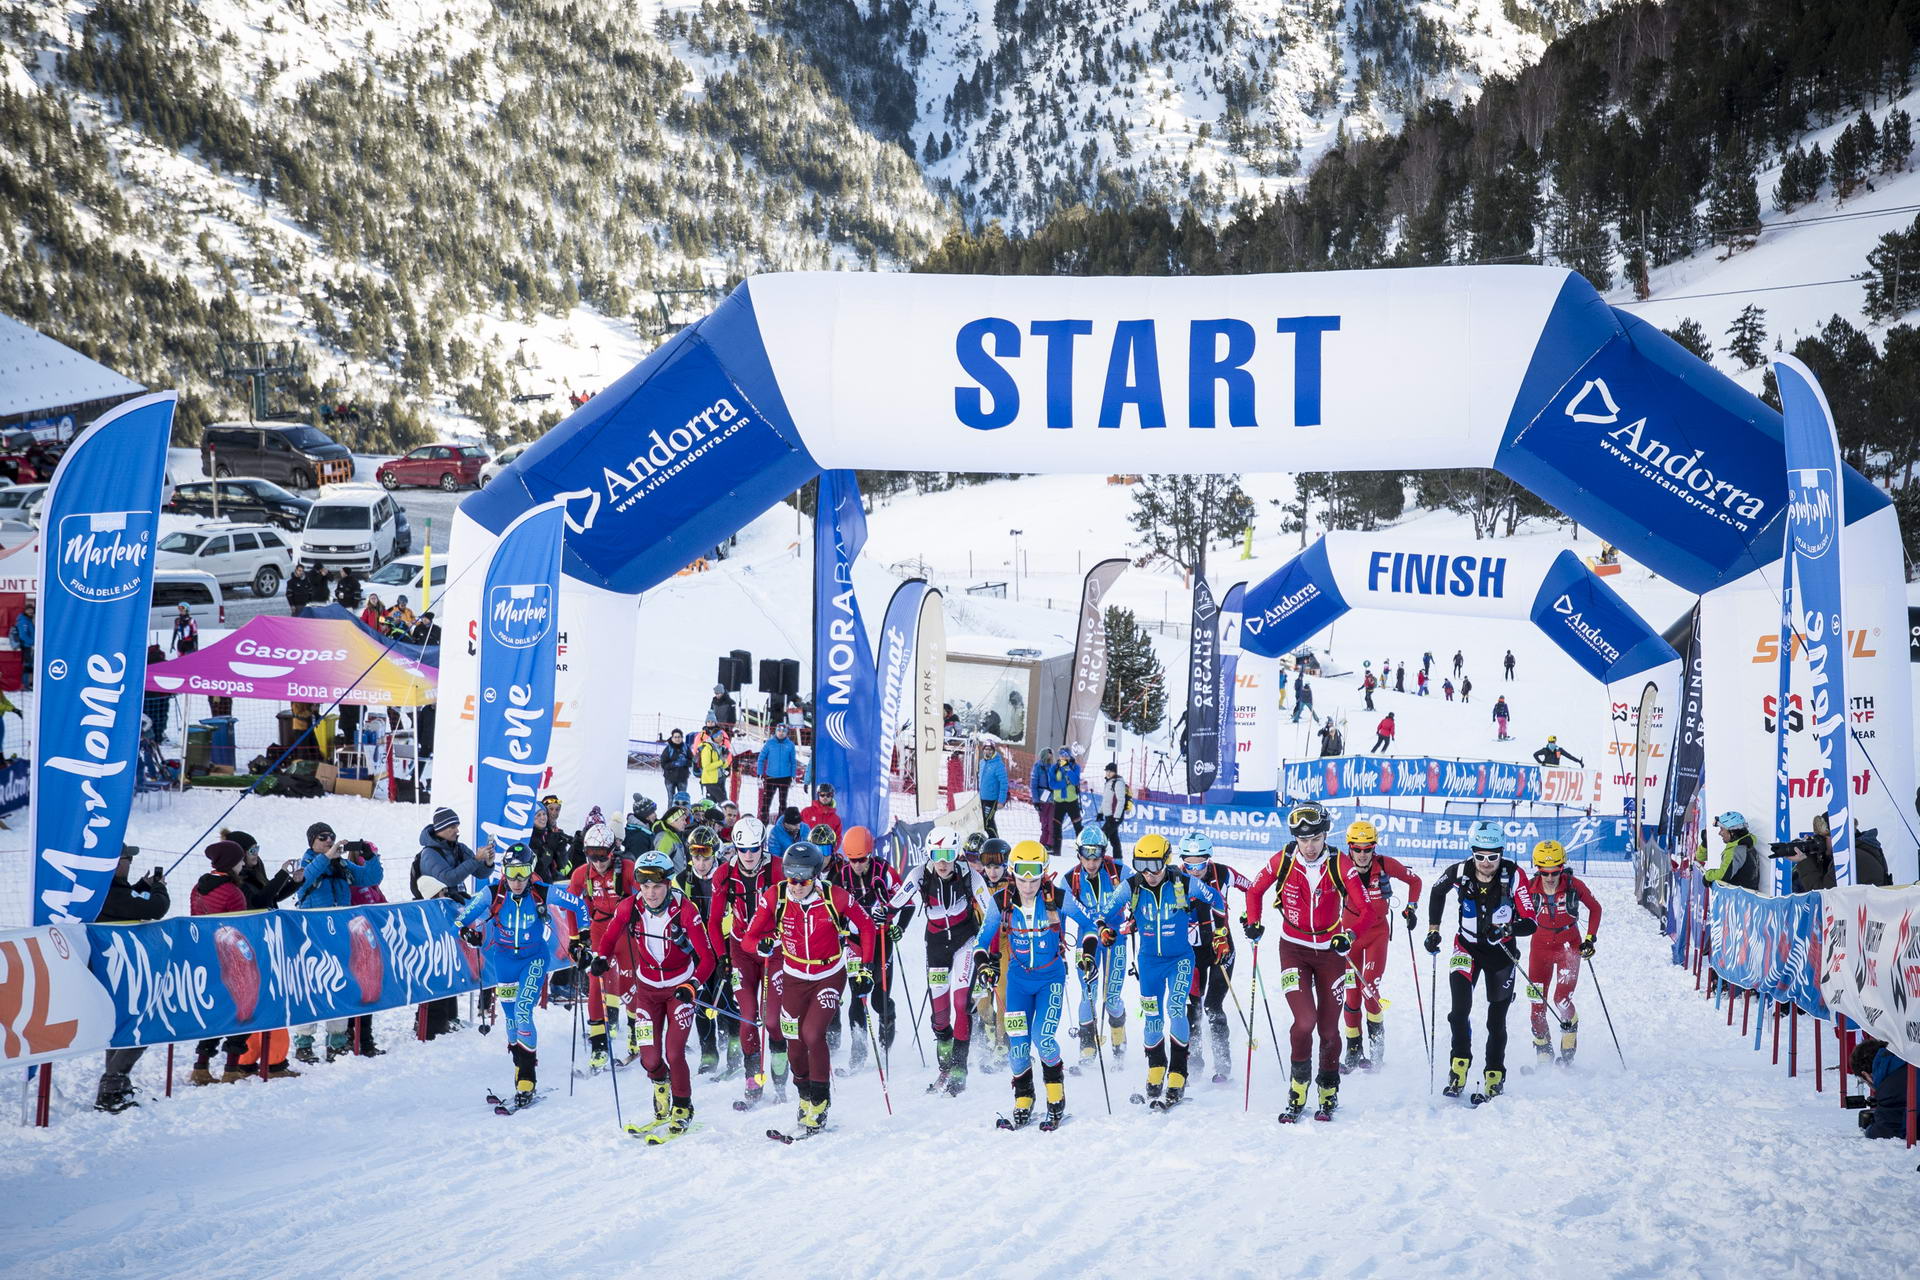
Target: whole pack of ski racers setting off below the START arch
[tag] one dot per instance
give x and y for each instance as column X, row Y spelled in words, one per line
column 759, row 955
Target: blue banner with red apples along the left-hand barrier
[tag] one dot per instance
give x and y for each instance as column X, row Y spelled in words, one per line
column 197, row 978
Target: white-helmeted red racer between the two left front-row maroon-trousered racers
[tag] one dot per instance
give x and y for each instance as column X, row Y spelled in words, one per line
column 738, row 888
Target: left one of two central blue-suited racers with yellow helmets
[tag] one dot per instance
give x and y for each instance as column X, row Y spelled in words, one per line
column 1024, row 937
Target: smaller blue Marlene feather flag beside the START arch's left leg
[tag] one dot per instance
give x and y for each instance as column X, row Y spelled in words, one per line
column 519, row 650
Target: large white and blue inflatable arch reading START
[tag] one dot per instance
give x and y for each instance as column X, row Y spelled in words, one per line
column 1524, row 369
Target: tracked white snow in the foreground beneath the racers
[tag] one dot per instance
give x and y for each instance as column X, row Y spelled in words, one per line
column 1700, row 1160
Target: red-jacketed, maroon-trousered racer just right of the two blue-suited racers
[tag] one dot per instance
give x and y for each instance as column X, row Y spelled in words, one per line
column 1320, row 905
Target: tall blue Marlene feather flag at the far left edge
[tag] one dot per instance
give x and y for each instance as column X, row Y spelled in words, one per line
column 99, row 525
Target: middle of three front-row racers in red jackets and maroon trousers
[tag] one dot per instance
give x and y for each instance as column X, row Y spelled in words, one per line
column 813, row 930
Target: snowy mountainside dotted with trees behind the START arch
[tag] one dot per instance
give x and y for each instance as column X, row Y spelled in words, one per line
column 471, row 210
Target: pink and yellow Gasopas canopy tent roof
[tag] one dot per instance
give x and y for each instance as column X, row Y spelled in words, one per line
column 300, row 661
